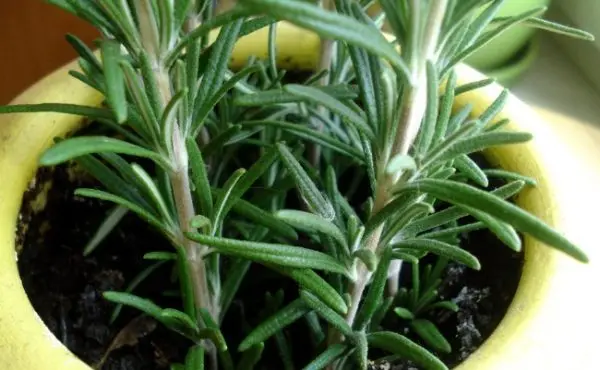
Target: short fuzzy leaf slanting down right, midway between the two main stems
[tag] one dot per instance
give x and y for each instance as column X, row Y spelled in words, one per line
column 307, row 188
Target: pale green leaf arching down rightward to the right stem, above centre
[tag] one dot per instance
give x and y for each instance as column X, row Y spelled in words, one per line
column 316, row 96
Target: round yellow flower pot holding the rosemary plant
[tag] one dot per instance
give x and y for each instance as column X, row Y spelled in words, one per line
column 545, row 327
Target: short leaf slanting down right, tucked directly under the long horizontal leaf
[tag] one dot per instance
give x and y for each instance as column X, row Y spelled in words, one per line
column 310, row 281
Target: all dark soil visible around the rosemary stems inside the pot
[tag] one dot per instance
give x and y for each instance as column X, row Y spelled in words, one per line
column 66, row 288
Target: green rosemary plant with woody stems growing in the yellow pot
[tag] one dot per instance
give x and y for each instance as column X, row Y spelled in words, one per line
column 240, row 167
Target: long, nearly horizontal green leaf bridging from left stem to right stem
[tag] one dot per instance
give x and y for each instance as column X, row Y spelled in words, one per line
column 278, row 254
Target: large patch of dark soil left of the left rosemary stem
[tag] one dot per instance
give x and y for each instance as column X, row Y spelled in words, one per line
column 65, row 288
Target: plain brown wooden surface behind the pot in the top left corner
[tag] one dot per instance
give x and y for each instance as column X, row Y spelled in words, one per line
column 32, row 42
